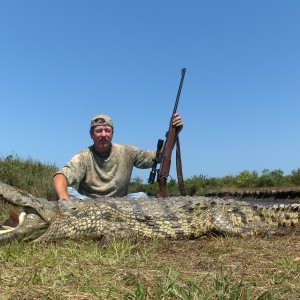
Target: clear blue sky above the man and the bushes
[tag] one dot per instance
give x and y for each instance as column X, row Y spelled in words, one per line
column 62, row 62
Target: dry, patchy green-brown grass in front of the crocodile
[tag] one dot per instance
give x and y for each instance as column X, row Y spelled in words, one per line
column 208, row 268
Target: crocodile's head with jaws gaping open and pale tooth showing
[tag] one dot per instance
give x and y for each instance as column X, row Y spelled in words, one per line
column 28, row 217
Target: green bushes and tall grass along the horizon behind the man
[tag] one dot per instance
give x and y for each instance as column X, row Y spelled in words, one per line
column 36, row 178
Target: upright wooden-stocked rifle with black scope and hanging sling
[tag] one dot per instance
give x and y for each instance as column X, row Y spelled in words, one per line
column 171, row 139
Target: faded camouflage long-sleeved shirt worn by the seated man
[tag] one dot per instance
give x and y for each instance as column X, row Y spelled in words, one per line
column 106, row 176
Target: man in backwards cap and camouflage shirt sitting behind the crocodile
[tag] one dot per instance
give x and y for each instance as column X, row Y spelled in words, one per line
column 105, row 168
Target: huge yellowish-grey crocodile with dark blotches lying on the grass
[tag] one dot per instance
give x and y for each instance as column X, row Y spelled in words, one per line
column 39, row 220
